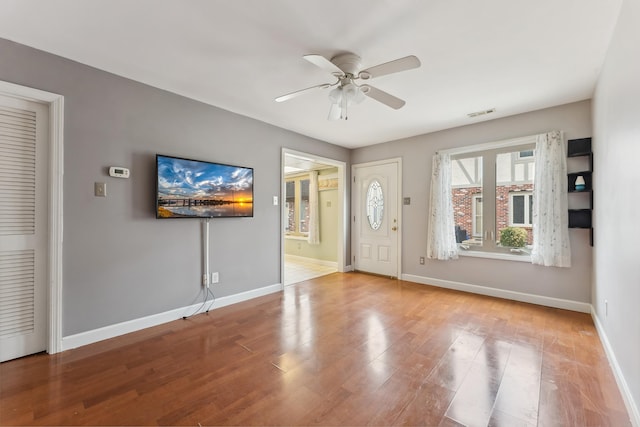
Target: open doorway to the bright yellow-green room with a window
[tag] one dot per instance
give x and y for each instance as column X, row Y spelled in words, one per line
column 313, row 245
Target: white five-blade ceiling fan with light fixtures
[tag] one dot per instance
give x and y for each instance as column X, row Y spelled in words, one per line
column 346, row 91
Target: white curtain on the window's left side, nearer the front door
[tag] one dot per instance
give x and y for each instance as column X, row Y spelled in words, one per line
column 441, row 239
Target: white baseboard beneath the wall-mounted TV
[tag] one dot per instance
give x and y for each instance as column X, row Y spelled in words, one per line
column 111, row 331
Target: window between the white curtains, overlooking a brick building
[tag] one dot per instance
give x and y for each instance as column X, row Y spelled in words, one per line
column 503, row 173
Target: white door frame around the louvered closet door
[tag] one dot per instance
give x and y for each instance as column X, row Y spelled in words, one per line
column 55, row 103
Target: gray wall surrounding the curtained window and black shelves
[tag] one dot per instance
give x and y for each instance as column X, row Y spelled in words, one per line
column 416, row 153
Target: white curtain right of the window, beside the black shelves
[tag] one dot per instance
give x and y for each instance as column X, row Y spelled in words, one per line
column 550, row 216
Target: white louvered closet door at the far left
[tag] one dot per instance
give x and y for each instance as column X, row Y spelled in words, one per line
column 23, row 227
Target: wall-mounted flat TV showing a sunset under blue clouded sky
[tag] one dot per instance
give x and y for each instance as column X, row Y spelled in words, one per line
column 198, row 189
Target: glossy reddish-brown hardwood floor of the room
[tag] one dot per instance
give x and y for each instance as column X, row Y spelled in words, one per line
column 343, row 349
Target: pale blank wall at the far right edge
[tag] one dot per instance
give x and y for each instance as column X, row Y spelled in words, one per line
column 616, row 263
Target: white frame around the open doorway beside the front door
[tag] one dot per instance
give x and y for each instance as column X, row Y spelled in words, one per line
column 342, row 206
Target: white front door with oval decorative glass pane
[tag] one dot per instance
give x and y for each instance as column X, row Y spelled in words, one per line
column 376, row 218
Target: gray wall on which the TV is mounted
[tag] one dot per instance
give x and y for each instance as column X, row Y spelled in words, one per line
column 120, row 263
